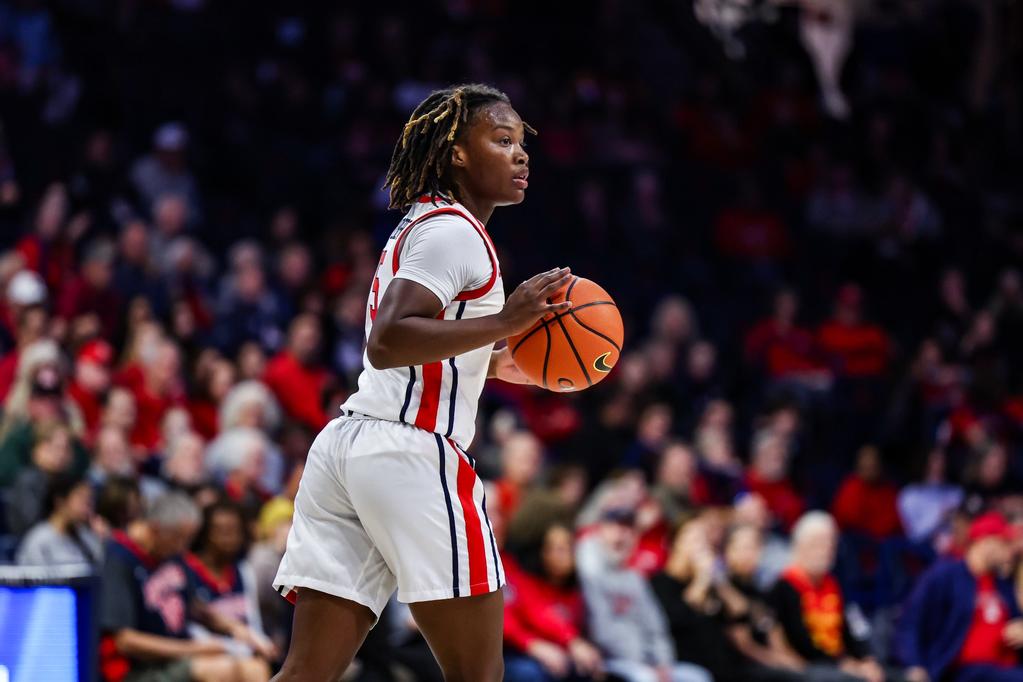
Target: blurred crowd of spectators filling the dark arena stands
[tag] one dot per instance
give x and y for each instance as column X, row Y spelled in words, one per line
column 808, row 464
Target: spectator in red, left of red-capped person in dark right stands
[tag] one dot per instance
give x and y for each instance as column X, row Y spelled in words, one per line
column 783, row 349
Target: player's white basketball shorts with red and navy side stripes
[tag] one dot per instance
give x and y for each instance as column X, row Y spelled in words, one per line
column 385, row 506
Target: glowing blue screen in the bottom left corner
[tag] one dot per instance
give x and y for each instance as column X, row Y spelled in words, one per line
column 38, row 634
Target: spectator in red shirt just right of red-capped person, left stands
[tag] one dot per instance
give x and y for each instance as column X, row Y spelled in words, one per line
column 158, row 390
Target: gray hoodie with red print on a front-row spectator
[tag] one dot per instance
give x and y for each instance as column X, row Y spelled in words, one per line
column 626, row 620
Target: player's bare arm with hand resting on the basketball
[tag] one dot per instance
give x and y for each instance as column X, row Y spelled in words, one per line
column 407, row 331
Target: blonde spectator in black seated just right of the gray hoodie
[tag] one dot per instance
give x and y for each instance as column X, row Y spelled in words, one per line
column 705, row 611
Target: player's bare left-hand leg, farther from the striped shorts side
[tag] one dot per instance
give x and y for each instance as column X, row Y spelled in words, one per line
column 327, row 634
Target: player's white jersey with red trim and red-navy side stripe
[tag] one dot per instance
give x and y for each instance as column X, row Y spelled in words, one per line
column 446, row 249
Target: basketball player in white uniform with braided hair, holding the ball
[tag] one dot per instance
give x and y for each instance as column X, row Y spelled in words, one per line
column 390, row 498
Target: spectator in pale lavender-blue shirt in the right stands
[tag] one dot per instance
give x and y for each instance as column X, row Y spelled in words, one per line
column 925, row 508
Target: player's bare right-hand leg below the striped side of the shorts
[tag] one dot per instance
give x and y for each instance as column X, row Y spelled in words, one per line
column 466, row 635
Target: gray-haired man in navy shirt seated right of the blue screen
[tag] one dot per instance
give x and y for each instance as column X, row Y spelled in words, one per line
column 148, row 636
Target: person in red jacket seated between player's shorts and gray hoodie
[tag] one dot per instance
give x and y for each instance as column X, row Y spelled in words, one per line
column 545, row 615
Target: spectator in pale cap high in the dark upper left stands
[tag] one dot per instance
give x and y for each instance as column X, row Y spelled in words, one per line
column 165, row 170
